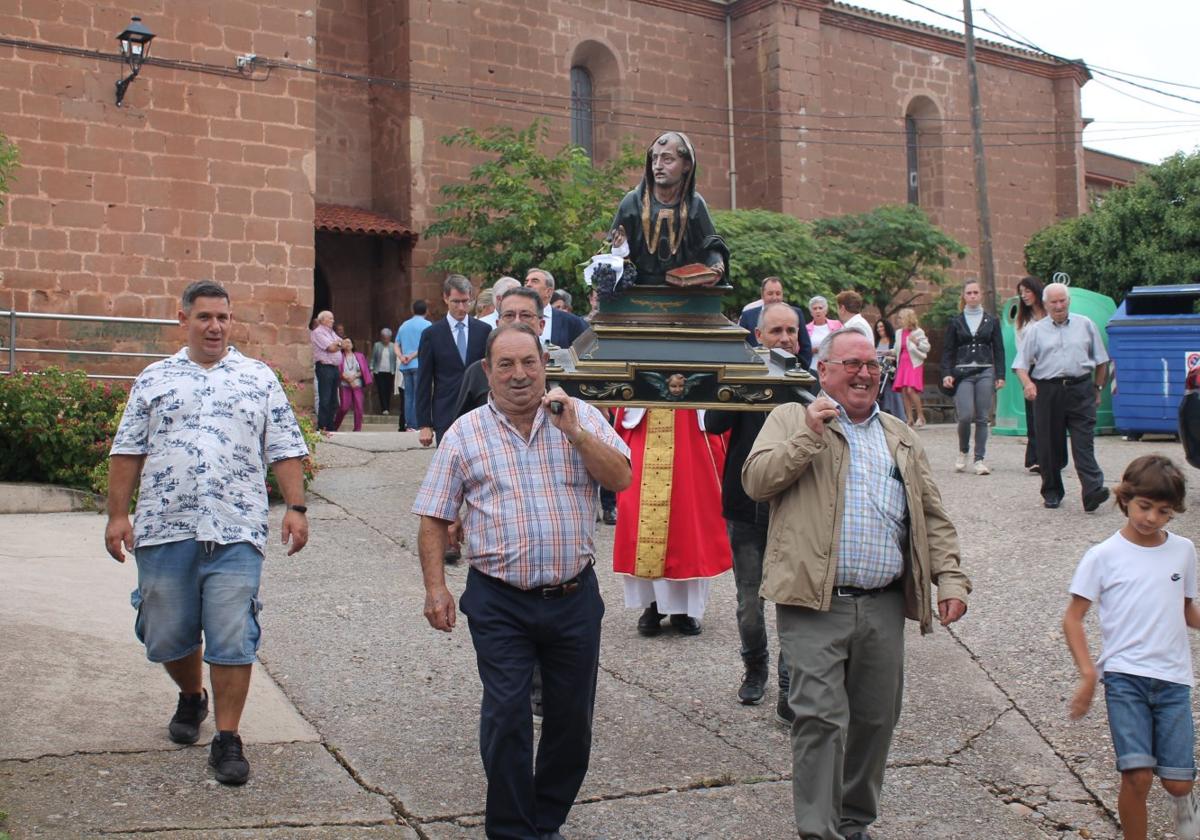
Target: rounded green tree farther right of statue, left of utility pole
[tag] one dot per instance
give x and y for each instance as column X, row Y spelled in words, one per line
column 885, row 253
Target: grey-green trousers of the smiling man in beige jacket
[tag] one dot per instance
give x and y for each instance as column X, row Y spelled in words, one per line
column 847, row 669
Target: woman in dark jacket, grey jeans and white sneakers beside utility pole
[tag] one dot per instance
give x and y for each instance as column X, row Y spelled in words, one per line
column 974, row 364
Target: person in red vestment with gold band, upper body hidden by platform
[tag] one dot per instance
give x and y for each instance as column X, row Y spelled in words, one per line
column 670, row 541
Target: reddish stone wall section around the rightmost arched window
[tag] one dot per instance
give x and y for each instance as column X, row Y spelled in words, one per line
column 867, row 75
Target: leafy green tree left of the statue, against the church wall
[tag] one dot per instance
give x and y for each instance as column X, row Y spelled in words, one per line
column 521, row 208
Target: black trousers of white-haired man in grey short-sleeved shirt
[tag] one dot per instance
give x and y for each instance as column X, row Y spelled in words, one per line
column 1061, row 407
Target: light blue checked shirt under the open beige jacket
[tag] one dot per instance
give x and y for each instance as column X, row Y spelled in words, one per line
column 873, row 526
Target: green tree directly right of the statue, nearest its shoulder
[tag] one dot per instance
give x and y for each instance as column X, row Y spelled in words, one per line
column 765, row 244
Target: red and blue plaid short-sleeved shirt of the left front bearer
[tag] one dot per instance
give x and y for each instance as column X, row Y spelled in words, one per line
column 531, row 505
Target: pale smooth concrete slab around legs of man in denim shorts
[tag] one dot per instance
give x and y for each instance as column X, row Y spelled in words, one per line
column 59, row 697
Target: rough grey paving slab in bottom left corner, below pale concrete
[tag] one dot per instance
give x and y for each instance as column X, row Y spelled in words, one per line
column 88, row 795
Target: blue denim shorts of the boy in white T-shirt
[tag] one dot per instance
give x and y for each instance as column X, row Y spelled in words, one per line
column 1151, row 725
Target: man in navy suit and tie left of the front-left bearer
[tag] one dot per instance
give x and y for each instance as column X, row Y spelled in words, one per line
column 446, row 351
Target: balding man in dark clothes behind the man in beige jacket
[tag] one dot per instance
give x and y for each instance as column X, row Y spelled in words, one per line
column 746, row 520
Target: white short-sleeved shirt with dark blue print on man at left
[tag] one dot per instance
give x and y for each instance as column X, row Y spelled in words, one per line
column 208, row 436
